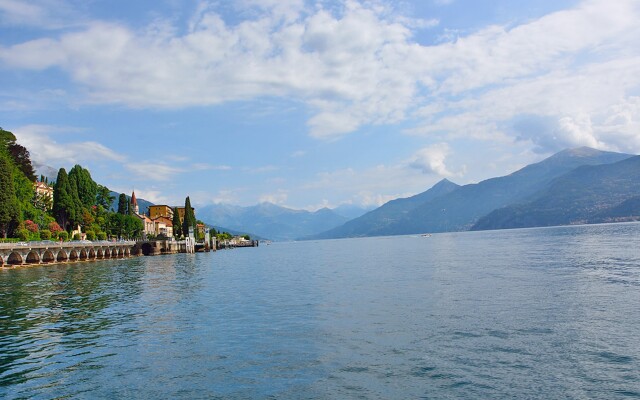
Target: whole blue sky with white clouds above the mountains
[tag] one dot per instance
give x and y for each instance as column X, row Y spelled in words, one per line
column 314, row 103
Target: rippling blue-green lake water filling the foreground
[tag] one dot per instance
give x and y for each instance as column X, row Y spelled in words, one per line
column 540, row 313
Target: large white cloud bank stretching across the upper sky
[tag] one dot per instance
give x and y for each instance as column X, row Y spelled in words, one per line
column 358, row 64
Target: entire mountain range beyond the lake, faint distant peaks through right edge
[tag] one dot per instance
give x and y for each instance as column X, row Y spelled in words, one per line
column 581, row 185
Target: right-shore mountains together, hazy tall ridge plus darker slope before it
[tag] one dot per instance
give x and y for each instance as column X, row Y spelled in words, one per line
column 449, row 207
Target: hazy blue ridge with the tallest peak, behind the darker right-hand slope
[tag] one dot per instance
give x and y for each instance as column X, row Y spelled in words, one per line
column 461, row 208
